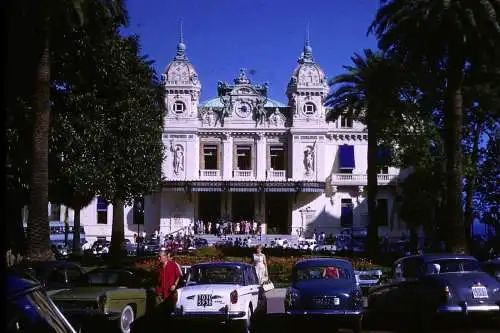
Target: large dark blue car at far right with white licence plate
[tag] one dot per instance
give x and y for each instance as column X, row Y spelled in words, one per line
column 429, row 287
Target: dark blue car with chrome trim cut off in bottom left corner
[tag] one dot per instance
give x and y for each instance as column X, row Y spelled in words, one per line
column 29, row 309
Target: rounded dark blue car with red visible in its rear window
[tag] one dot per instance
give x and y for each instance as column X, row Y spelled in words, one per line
column 326, row 288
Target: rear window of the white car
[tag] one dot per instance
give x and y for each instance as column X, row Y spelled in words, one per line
column 215, row 275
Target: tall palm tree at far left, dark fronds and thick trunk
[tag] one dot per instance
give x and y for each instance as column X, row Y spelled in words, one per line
column 49, row 19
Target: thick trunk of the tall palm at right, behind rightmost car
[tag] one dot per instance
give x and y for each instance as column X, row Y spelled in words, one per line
column 453, row 115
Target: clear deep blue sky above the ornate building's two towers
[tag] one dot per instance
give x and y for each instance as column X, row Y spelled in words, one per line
column 223, row 36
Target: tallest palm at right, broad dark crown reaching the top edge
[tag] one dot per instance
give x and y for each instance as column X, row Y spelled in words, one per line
column 430, row 35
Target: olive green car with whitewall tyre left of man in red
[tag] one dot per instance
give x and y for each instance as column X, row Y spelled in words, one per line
column 121, row 294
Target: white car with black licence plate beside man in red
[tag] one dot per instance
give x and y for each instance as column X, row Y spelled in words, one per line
column 227, row 292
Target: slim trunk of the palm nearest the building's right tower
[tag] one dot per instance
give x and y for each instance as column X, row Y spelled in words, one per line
column 372, row 232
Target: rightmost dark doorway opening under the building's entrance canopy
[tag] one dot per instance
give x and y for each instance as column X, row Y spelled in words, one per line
column 277, row 213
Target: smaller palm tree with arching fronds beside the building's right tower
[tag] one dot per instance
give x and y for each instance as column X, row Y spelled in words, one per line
column 368, row 92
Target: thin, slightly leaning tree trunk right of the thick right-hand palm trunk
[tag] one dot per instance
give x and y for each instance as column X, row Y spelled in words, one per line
column 471, row 187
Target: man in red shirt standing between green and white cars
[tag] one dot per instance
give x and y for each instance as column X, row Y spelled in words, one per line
column 168, row 279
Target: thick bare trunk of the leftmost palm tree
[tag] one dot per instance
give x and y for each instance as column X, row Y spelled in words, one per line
column 38, row 226
